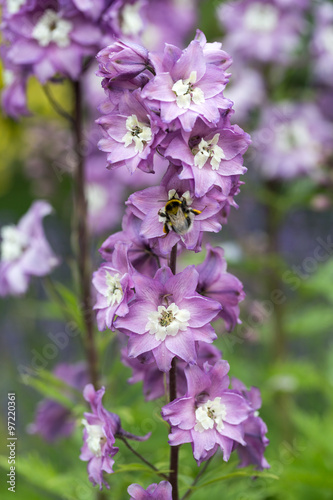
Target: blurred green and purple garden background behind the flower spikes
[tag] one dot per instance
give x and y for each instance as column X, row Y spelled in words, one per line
column 278, row 243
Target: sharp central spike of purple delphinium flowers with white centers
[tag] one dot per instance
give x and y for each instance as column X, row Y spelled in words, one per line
column 168, row 111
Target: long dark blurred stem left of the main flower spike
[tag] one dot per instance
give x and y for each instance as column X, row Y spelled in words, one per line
column 82, row 242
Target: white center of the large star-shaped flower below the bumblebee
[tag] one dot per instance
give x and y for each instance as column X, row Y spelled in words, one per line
column 167, row 321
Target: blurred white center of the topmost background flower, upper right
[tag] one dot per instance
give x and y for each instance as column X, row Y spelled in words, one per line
column 261, row 17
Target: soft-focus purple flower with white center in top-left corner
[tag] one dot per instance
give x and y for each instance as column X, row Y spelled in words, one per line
column 51, row 41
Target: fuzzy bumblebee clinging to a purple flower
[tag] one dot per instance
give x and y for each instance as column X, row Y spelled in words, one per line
column 177, row 214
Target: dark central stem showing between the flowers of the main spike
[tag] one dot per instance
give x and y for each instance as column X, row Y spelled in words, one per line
column 174, row 451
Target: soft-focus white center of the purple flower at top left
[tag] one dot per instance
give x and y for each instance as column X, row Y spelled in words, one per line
column 52, row 28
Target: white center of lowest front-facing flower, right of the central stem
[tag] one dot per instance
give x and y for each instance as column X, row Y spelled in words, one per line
column 210, row 415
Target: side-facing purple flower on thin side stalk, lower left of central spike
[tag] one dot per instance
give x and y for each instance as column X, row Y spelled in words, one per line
column 101, row 429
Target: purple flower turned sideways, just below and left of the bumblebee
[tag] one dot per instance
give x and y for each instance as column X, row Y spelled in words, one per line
column 141, row 254
